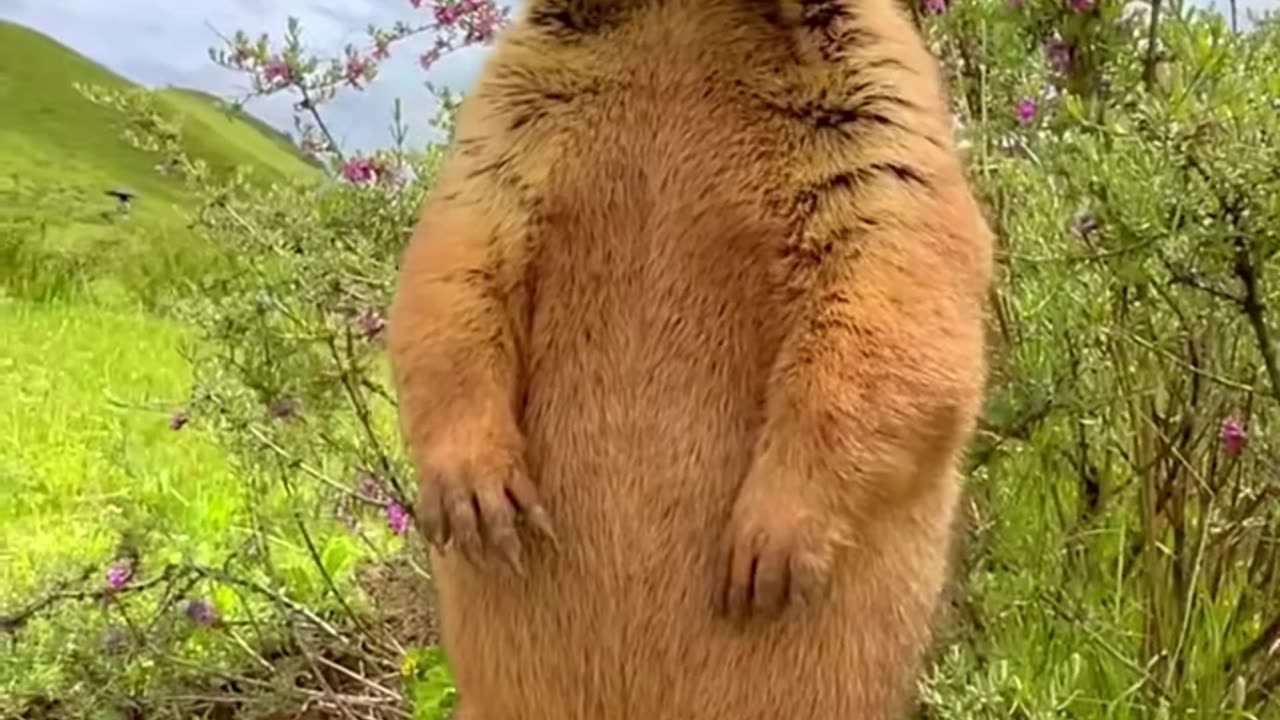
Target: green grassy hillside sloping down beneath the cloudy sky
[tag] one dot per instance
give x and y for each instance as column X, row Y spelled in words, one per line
column 61, row 154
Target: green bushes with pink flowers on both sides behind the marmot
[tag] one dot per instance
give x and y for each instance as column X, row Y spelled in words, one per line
column 1121, row 557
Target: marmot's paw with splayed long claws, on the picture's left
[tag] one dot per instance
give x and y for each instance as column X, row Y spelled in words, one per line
column 476, row 491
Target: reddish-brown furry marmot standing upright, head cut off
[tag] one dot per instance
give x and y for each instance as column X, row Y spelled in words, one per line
column 688, row 344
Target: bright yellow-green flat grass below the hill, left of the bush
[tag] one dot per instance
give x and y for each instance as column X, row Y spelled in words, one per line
column 85, row 444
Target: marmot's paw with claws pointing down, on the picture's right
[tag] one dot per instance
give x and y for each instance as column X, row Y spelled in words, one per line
column 779, row 555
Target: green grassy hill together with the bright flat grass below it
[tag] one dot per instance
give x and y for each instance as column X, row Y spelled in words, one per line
column 90, row 368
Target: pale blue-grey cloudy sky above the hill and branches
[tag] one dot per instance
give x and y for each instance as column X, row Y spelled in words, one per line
column 161, row 43
